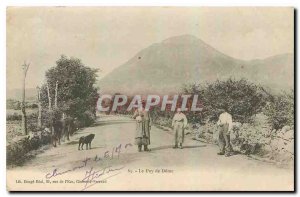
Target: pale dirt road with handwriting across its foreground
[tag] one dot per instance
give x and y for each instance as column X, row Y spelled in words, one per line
column 113, row 163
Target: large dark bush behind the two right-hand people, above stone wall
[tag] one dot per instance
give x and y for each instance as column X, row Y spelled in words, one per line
column 240, row 98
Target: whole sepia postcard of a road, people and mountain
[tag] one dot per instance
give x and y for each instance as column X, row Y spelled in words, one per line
column 150, row 98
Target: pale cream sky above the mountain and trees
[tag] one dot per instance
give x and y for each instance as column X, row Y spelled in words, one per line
column 107, row 37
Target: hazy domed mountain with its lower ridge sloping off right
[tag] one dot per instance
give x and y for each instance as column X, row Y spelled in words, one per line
column 164, row 67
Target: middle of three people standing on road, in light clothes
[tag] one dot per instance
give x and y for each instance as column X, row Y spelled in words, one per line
column 179, row 123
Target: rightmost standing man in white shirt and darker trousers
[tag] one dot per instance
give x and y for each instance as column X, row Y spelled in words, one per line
column 225, row 126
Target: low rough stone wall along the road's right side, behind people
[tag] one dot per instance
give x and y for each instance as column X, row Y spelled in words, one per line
column 255, row 139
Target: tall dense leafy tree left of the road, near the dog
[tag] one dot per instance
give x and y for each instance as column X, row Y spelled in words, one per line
column 72, row 85
